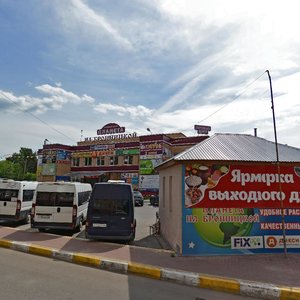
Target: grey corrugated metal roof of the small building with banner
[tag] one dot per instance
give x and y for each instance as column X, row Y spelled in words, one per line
column 239, row 147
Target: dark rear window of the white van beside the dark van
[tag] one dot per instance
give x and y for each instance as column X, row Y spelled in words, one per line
column 54, row 199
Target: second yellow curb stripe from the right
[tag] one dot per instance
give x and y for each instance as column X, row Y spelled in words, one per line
column 220, row 284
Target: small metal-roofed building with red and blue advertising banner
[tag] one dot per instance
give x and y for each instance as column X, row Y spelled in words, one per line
column 231, row 194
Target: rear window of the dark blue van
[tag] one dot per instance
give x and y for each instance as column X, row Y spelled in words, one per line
column 112, row 200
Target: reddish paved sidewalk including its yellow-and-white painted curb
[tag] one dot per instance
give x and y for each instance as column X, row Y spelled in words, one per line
column 265, row 276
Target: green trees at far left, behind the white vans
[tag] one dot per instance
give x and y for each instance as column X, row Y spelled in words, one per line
column 19, row 166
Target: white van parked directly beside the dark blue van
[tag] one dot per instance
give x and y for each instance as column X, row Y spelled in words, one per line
column 60, row 205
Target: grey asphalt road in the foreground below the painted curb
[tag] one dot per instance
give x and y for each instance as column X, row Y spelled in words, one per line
column 30, row 277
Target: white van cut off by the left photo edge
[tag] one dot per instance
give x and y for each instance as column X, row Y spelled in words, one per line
column 16, row 199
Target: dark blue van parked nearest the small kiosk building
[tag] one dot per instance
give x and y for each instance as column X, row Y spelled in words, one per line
column 111, row 212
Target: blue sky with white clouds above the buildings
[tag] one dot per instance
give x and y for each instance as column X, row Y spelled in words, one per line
column 69, row 67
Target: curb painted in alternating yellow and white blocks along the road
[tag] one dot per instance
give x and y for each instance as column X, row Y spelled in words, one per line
column 229, row 285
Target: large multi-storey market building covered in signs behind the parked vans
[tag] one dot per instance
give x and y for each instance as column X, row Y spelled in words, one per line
column 113, row 154
